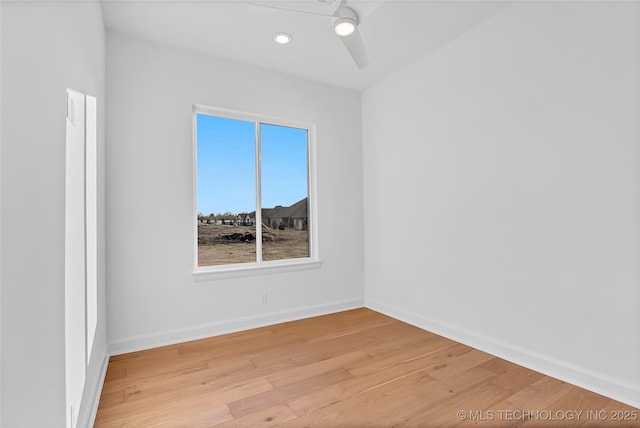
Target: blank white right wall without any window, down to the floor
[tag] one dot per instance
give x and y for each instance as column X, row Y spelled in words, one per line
column 501, row 191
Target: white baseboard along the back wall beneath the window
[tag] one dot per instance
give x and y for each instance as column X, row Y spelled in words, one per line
column 171, row 337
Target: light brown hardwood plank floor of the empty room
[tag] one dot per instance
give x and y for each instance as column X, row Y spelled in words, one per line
column 356, row 368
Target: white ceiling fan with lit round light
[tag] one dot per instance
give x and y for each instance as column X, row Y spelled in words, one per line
column 344, row 22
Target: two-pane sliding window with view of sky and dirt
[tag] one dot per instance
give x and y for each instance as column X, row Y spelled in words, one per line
column 253, row 198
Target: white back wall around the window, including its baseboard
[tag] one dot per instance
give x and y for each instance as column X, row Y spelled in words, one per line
column 152, row 297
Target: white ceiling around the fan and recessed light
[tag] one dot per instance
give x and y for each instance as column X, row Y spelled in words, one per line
column 395, row 33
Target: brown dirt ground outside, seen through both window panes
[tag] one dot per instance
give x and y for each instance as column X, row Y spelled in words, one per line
column 220, row 244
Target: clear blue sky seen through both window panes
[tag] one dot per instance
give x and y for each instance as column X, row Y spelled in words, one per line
column 226, row 165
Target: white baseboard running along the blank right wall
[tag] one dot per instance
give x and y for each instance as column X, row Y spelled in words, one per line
column 616, row 389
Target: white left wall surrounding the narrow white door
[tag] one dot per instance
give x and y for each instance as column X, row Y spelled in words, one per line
column 47, row 47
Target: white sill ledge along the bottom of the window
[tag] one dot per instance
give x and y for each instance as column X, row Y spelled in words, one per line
column 251, row 269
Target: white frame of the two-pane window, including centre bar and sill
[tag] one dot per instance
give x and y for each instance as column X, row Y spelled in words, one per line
column 259, row 267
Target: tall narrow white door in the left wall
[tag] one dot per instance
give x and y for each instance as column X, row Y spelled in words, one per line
column 80, row 245
